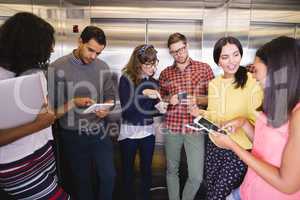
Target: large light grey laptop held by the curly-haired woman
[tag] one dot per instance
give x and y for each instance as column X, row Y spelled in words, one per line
column 21, row 99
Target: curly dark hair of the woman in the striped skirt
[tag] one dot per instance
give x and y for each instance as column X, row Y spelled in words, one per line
column 26, row 42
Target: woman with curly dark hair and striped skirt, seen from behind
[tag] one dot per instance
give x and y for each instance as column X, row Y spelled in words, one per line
column 27, row 163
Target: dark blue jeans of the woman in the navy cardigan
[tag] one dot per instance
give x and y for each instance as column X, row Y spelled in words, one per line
column 129, row 149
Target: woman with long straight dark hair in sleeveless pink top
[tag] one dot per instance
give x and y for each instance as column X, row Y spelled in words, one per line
column 273, row 165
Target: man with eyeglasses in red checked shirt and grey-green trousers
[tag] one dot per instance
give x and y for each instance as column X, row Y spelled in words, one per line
column 186, row 79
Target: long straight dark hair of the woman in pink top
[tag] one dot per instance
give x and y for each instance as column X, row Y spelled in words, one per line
column 282, row 58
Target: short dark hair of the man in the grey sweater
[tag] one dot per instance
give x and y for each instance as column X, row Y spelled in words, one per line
column 93, row 32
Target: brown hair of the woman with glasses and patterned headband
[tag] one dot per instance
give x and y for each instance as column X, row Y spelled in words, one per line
column 142, row 54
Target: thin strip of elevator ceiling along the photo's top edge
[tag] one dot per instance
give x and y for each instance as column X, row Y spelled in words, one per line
column 259, row 4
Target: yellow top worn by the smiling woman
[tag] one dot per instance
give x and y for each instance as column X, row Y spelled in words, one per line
column 225, row 103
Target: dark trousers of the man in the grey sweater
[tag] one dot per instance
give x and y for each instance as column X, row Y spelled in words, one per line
column 83, row 150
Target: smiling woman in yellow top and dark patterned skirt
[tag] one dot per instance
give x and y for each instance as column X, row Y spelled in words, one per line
column 230, row 95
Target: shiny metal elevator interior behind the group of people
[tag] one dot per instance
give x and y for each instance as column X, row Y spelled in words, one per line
column 128, row 23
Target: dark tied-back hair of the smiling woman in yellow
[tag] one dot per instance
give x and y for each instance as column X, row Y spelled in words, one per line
column 241, row 75
